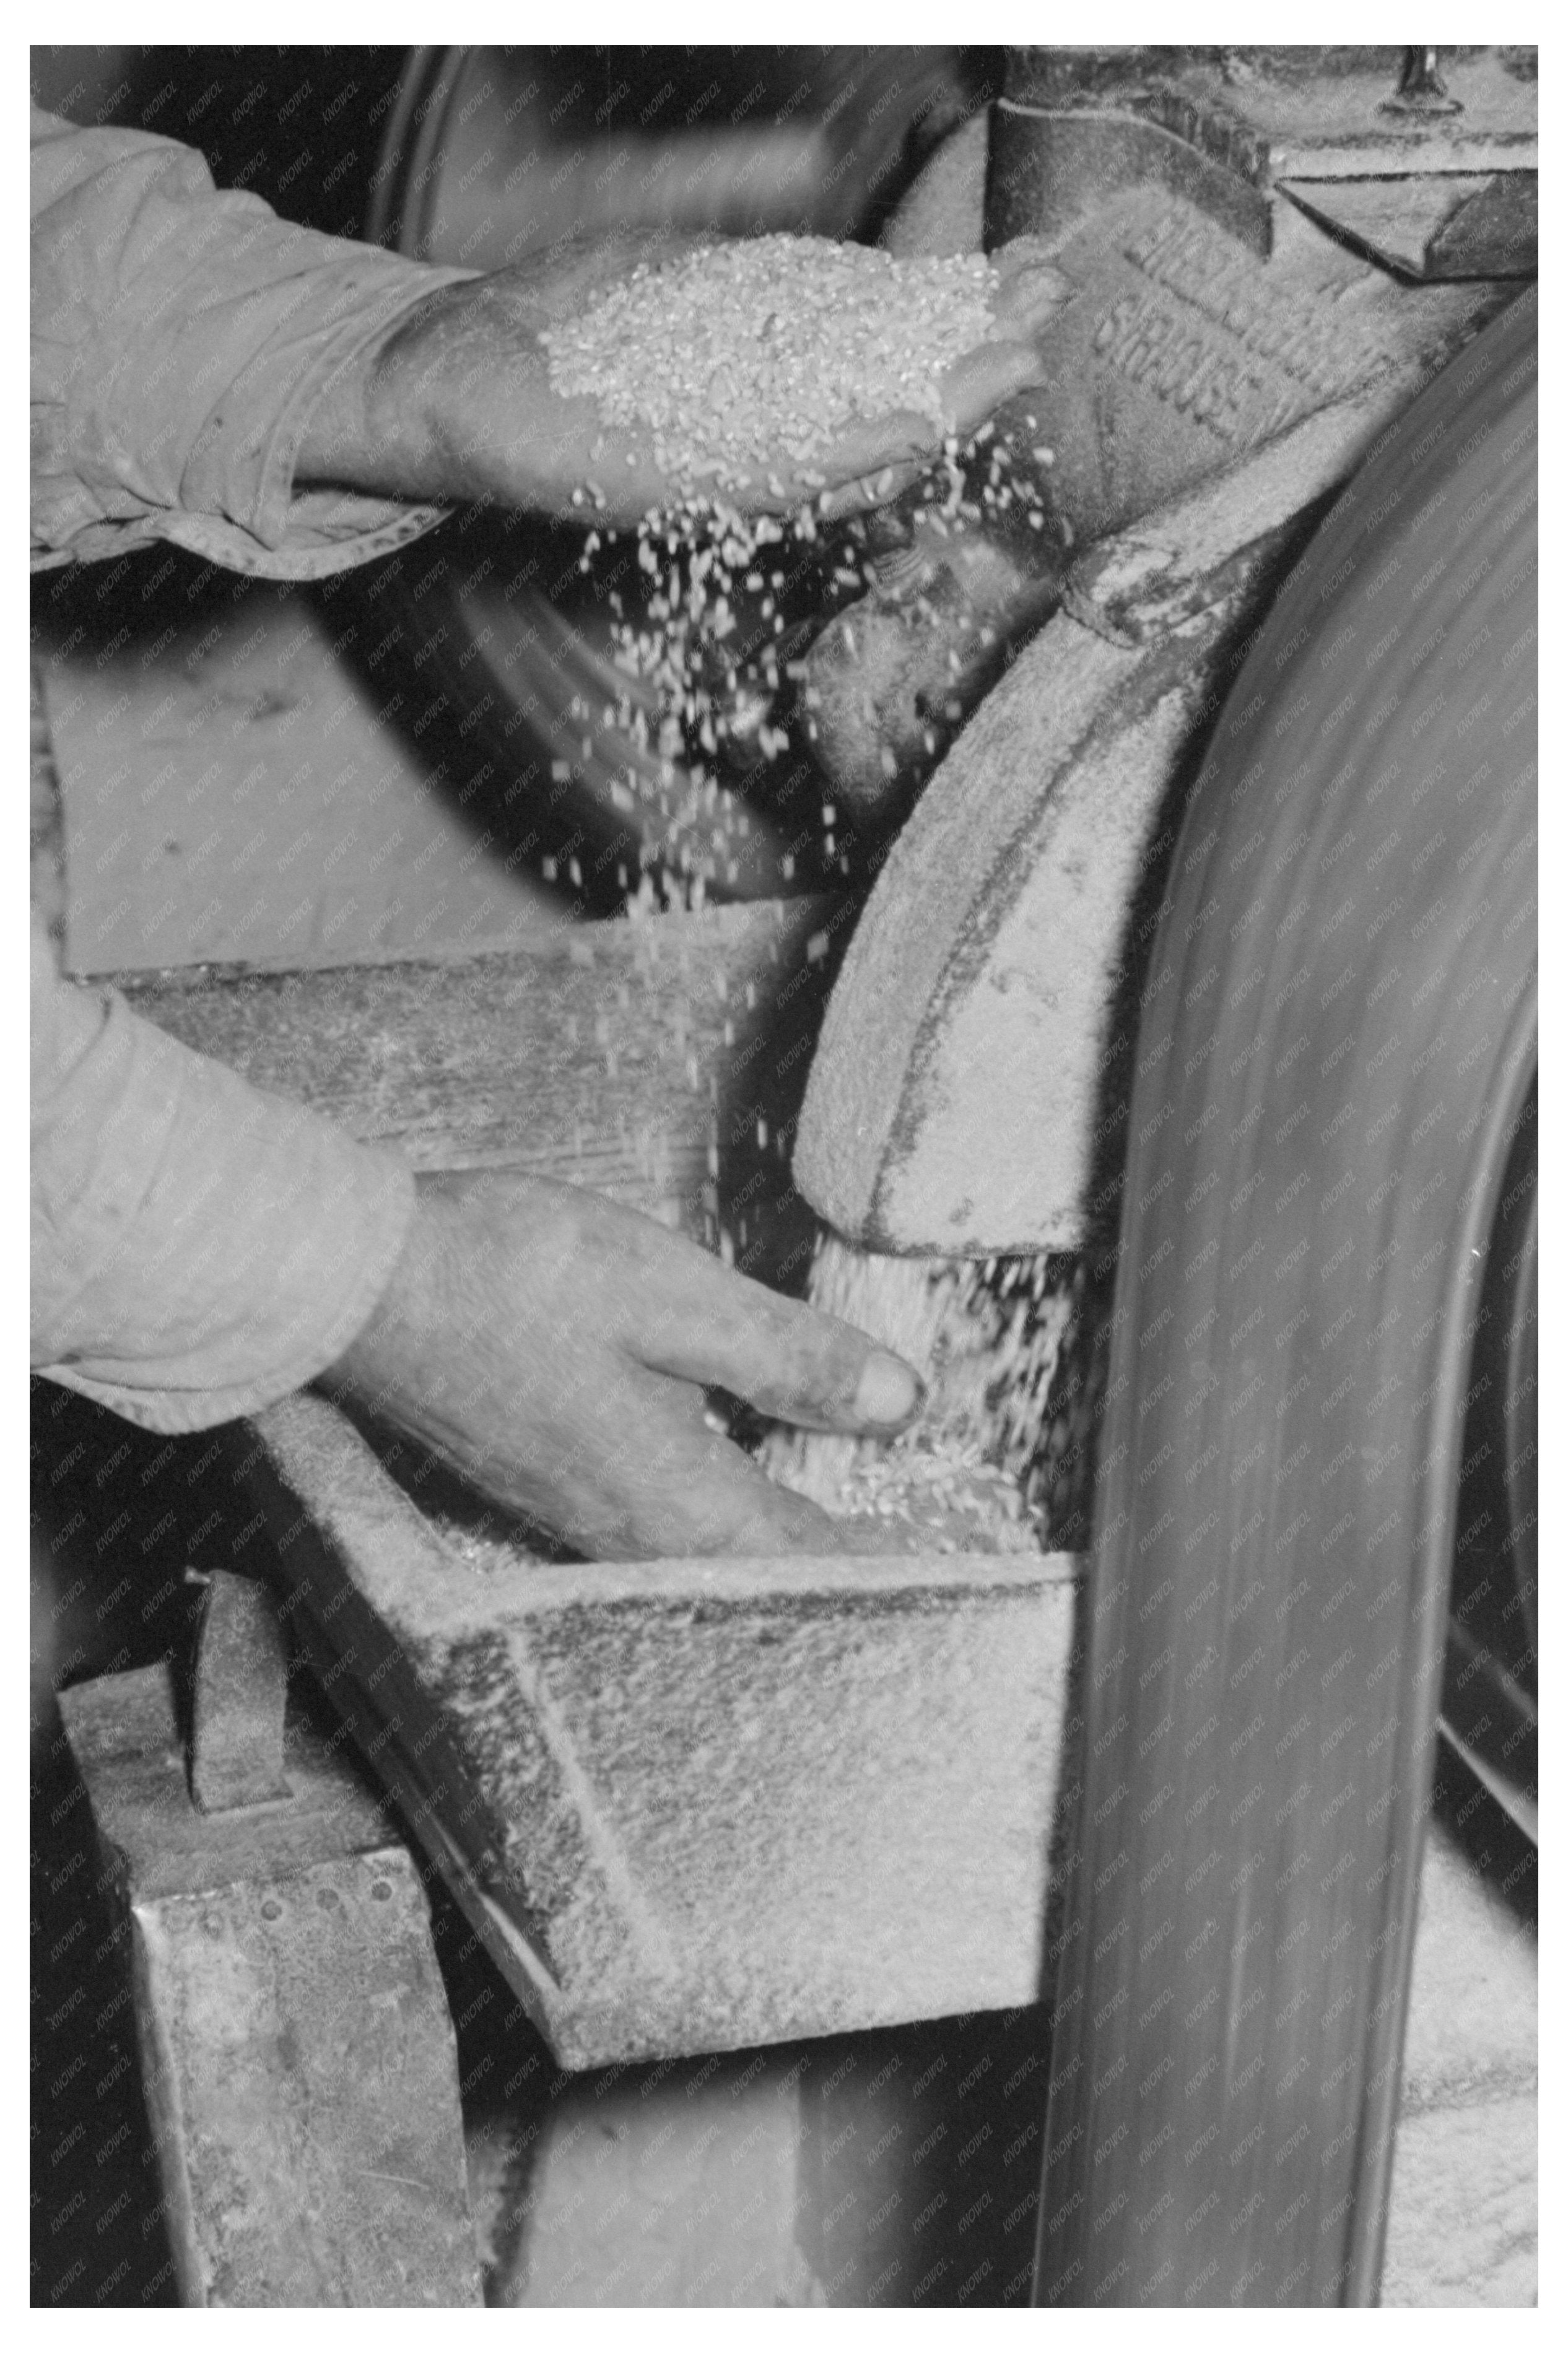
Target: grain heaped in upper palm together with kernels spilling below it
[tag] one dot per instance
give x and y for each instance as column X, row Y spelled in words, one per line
column 736, row 359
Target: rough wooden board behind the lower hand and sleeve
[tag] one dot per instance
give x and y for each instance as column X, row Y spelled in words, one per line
column 658, row 1062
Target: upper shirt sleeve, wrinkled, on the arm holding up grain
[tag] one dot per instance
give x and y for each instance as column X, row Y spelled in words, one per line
column 180, row 345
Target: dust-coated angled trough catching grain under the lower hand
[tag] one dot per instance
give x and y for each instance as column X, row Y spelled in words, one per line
column 698, row 1804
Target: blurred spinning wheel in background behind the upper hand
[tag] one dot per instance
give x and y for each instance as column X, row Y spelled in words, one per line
column 498, row 154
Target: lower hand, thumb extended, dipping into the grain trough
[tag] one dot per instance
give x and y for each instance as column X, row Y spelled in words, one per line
column 557, row 1349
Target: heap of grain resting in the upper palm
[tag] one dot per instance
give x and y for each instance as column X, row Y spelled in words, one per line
column 738, row 354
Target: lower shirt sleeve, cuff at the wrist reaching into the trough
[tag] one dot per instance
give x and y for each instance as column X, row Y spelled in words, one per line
column 199, row 1248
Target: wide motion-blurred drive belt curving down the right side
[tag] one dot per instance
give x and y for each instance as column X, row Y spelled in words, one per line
column 1336, row 1065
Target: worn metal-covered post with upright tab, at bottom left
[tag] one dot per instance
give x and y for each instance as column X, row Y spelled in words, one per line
column 298, row 2055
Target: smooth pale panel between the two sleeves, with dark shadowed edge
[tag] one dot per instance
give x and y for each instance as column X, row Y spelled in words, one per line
column 248, row 771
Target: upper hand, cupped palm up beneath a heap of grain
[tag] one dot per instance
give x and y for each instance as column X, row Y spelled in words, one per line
column 456, row 404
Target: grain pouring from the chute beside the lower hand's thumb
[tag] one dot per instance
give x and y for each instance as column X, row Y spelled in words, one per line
column 988, row 1338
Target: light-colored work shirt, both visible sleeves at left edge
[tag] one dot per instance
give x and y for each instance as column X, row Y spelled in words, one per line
column 199, row 1248
